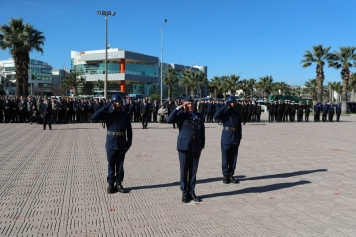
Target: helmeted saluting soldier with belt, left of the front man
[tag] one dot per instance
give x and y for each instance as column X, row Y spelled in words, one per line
column 118, row 141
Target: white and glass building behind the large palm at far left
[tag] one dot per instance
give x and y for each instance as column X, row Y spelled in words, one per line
column 39, row 77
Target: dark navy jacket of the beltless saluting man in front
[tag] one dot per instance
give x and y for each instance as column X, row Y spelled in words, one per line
column 191, row 136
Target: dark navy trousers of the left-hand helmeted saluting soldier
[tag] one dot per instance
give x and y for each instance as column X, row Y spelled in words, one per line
column 115, row 166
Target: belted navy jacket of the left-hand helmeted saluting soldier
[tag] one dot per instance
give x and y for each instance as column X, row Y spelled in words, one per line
column 116, row 121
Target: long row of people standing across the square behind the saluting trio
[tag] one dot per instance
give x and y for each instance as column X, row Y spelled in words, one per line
column 75, row 110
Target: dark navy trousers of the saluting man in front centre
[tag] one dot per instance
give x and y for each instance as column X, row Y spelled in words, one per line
column 189, row 162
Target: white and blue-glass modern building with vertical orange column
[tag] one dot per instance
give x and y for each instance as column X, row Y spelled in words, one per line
column 128, row 71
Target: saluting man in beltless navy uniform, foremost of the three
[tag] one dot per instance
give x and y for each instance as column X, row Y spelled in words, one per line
column 190, row 143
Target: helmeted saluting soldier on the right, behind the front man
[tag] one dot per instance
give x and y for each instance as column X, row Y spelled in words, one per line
column 230, row 138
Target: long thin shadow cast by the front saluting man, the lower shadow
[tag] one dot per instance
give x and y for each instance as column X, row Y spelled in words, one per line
column 261, row 189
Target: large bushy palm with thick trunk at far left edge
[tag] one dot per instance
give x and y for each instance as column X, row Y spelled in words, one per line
column 21, row 39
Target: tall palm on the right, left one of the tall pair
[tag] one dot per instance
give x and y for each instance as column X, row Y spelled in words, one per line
column 319, row 56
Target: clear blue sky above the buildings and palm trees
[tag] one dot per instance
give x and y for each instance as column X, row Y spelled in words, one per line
column 252, row 38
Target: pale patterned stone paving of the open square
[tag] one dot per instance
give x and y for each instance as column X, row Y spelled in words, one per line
column 296, row 180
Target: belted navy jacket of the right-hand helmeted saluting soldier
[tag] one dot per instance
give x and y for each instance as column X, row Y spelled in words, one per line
column 232, row 129
